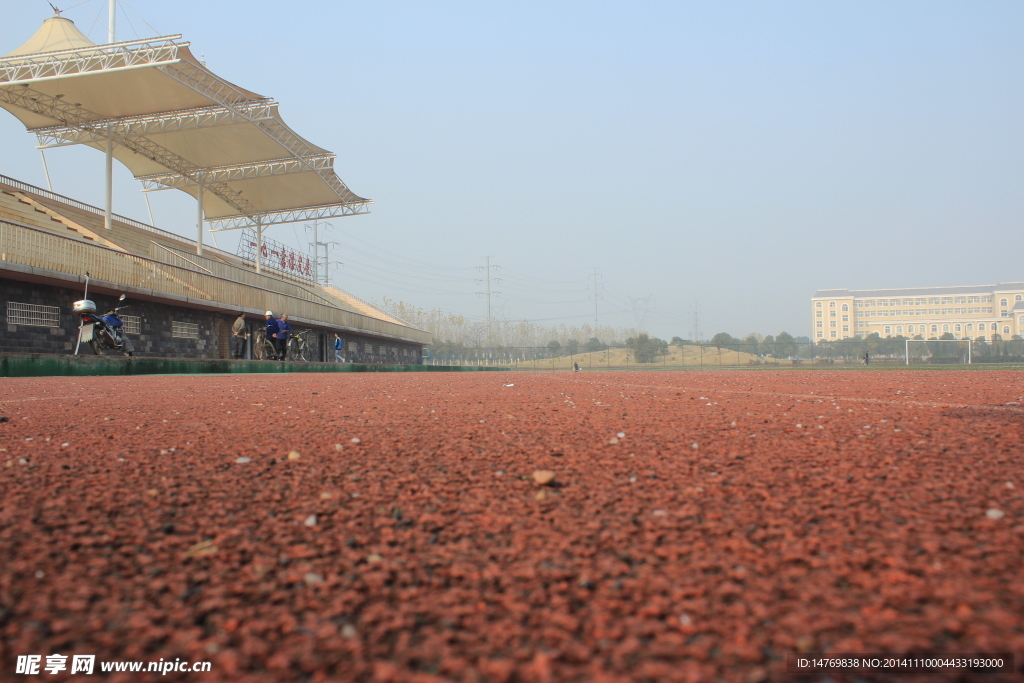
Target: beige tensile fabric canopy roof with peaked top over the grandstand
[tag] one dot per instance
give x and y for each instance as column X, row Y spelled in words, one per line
column 175, row 123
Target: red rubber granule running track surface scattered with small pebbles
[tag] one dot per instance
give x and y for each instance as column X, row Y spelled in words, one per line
column 607, row 527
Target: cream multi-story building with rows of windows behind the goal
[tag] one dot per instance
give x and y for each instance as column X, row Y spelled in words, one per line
column 966, row 313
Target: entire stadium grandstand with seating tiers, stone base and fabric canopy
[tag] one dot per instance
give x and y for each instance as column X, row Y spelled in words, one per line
column 152, row 106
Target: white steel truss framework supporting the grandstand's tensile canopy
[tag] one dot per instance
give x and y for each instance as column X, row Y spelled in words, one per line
column 80, row 126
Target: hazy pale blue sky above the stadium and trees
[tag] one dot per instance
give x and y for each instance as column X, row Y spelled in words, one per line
column 741, row 155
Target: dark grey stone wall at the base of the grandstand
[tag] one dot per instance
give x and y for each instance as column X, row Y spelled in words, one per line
column 157, row 336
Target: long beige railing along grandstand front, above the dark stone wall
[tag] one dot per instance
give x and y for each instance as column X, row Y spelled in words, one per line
column 38, row 248
